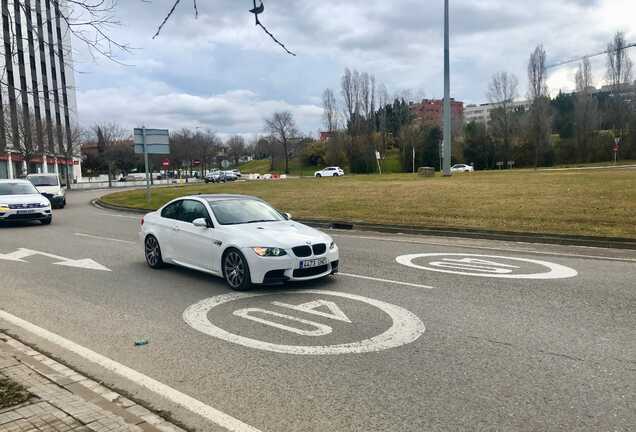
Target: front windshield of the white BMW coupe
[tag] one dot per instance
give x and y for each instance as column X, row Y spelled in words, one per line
column 243, row 211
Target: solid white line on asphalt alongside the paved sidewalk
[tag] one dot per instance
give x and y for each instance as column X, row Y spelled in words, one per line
column 189, row 403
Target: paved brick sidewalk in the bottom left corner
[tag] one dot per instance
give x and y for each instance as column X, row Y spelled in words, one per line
column 65, row 401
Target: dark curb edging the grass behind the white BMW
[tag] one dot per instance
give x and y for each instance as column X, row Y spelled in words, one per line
column 568, row 240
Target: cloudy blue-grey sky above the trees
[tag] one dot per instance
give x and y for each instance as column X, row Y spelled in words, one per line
column 222, row 73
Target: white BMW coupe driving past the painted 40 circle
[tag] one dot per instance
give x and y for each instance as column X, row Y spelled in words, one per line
column 240, row 238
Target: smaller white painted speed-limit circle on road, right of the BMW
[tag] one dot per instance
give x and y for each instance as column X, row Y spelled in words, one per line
column 491, row 266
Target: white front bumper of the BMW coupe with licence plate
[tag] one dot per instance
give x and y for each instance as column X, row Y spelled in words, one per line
column 276, row 270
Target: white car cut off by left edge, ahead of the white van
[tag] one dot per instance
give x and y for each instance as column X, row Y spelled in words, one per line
column 20, row 200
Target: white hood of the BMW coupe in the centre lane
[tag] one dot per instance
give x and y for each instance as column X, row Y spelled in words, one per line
column 283, row 234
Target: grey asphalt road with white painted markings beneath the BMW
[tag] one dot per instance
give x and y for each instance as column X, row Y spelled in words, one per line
column 420, row 349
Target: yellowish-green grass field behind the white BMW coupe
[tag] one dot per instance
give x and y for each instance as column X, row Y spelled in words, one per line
column 583, row 202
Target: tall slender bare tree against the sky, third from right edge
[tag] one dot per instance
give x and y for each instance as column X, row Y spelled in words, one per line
column 539, row 122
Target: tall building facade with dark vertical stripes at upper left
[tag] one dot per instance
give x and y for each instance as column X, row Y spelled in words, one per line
column 38, row 121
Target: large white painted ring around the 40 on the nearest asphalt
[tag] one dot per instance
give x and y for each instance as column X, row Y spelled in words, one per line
column 406, row 327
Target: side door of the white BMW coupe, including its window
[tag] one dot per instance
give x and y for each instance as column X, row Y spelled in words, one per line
column 195, row 245
